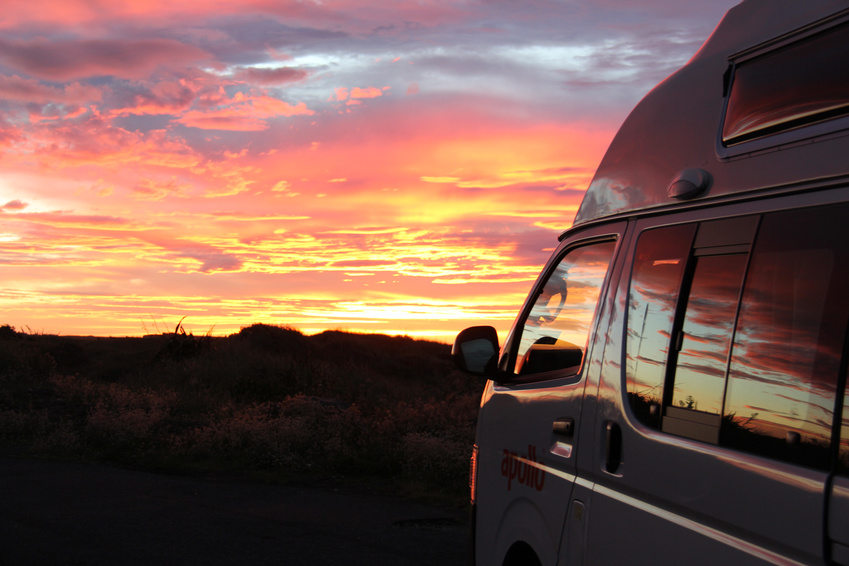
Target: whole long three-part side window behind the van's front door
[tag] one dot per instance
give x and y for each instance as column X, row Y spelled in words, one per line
column 751, row 355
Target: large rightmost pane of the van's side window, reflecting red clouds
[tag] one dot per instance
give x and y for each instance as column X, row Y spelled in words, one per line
column 786, row 357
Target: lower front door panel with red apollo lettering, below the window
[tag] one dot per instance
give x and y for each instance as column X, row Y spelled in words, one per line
column 519, row 478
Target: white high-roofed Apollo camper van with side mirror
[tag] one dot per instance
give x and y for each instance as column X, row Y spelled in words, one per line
column 674, row 389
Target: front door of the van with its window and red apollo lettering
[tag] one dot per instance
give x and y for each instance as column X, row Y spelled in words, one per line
column 528, row 422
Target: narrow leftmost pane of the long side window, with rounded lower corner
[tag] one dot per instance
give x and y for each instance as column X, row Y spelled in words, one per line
column 659, row 262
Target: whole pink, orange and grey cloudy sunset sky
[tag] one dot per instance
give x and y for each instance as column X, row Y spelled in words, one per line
column 401, row 167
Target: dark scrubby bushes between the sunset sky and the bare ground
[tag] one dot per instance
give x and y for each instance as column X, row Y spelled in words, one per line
column 268, row 401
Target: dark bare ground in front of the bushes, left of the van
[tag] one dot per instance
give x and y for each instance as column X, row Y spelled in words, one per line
column 68, row 513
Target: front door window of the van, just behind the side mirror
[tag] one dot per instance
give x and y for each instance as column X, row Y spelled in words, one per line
column 554, row 335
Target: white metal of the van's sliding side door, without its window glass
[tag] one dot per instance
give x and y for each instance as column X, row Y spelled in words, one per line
column 701, row 499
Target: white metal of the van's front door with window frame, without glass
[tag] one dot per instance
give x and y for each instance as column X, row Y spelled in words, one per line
column 527, row 459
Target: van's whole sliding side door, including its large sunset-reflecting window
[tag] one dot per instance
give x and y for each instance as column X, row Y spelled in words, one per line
column 721, row 383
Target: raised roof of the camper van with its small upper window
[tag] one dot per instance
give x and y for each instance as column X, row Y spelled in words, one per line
column 716, row 130
